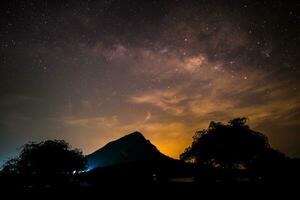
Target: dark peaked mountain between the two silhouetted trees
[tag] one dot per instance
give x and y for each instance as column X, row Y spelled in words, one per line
column 128, row 149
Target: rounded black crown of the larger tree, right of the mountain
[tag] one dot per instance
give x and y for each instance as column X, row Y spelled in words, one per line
column 226, row 146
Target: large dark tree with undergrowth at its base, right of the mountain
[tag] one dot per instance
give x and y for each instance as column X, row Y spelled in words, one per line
column 235, row 153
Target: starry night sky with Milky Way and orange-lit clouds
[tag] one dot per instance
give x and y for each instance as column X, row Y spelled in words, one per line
column 92, row 71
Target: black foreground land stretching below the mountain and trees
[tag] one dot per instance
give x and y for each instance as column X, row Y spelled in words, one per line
column 148, row 180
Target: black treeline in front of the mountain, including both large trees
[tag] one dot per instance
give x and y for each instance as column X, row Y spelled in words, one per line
column 229, row 153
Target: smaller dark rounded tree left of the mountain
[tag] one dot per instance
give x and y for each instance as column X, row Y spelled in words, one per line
column 47, row 160
